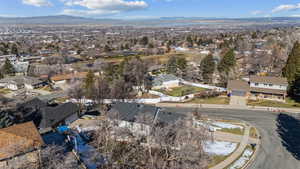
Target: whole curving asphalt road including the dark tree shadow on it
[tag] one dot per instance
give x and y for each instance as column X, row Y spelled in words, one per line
column 274, row 153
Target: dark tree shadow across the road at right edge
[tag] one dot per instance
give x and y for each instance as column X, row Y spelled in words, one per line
column 288, row 128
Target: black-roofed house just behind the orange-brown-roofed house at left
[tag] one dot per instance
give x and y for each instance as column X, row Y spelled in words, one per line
column 46, row 116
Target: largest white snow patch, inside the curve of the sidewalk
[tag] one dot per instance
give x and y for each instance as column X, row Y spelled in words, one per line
column 219, row 147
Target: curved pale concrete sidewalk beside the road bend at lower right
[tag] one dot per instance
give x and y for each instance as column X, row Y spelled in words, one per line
column 236, row 154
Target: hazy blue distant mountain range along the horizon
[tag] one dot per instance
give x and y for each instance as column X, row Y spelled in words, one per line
column 67, row 20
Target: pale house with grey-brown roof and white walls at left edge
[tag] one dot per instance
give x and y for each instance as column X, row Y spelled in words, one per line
column 19, row 82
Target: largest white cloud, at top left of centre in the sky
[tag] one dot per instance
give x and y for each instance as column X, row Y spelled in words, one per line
column 103, row 7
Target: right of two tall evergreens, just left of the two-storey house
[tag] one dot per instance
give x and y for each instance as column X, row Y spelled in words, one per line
column 227, row 62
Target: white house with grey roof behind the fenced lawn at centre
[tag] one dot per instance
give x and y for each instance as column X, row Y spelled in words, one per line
column 165, row 81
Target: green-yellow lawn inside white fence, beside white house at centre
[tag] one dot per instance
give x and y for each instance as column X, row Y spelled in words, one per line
column 182, row 91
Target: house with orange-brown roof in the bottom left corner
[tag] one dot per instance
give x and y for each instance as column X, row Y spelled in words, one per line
column 19, row 144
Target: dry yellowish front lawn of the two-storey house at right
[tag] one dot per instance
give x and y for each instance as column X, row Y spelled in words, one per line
column 268, row 103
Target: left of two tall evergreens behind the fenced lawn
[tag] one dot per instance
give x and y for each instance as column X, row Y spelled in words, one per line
column 207, row 67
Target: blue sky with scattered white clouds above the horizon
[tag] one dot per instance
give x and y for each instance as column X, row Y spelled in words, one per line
column 143, row 9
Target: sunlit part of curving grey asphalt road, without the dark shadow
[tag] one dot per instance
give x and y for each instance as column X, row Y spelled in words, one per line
column 272, row 154
